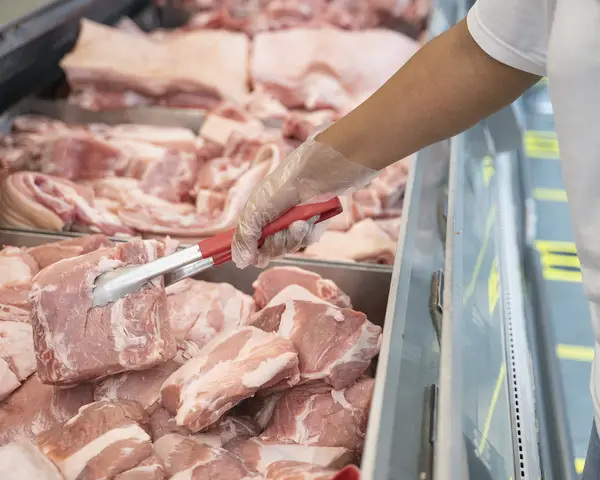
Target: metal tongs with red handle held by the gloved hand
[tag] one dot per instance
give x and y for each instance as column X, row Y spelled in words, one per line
column 111, row 286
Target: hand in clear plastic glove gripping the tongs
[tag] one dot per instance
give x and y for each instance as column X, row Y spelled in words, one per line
column 312, row 172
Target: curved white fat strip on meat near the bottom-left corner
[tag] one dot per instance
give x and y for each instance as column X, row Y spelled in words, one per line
column 72, row 466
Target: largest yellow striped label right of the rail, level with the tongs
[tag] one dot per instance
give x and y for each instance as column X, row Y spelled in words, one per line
column 559, row 261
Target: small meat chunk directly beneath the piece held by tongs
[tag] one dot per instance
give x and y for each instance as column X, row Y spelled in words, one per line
column 142, row 386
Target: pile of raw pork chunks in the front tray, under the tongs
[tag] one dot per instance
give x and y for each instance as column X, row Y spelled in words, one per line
column 195, row 381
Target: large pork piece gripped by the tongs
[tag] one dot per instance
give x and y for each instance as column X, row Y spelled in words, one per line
column 75, row 341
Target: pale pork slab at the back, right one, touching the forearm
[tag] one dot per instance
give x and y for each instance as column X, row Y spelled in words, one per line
column 306, row 68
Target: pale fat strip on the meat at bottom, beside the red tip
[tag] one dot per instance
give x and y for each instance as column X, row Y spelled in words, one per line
column 322, row 456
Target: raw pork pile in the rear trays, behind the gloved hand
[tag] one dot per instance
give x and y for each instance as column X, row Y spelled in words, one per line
column 263, row 96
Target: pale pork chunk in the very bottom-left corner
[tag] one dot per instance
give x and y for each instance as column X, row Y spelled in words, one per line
column 23, row 460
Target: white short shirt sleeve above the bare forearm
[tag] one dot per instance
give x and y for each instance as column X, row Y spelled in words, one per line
column 514, row 32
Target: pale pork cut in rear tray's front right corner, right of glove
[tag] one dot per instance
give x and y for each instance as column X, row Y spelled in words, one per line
column 364, row 242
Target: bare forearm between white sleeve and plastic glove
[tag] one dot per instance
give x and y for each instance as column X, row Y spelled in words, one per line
column 447, row 87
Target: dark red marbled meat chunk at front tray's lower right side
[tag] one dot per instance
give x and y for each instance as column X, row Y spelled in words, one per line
column 316, row 414
